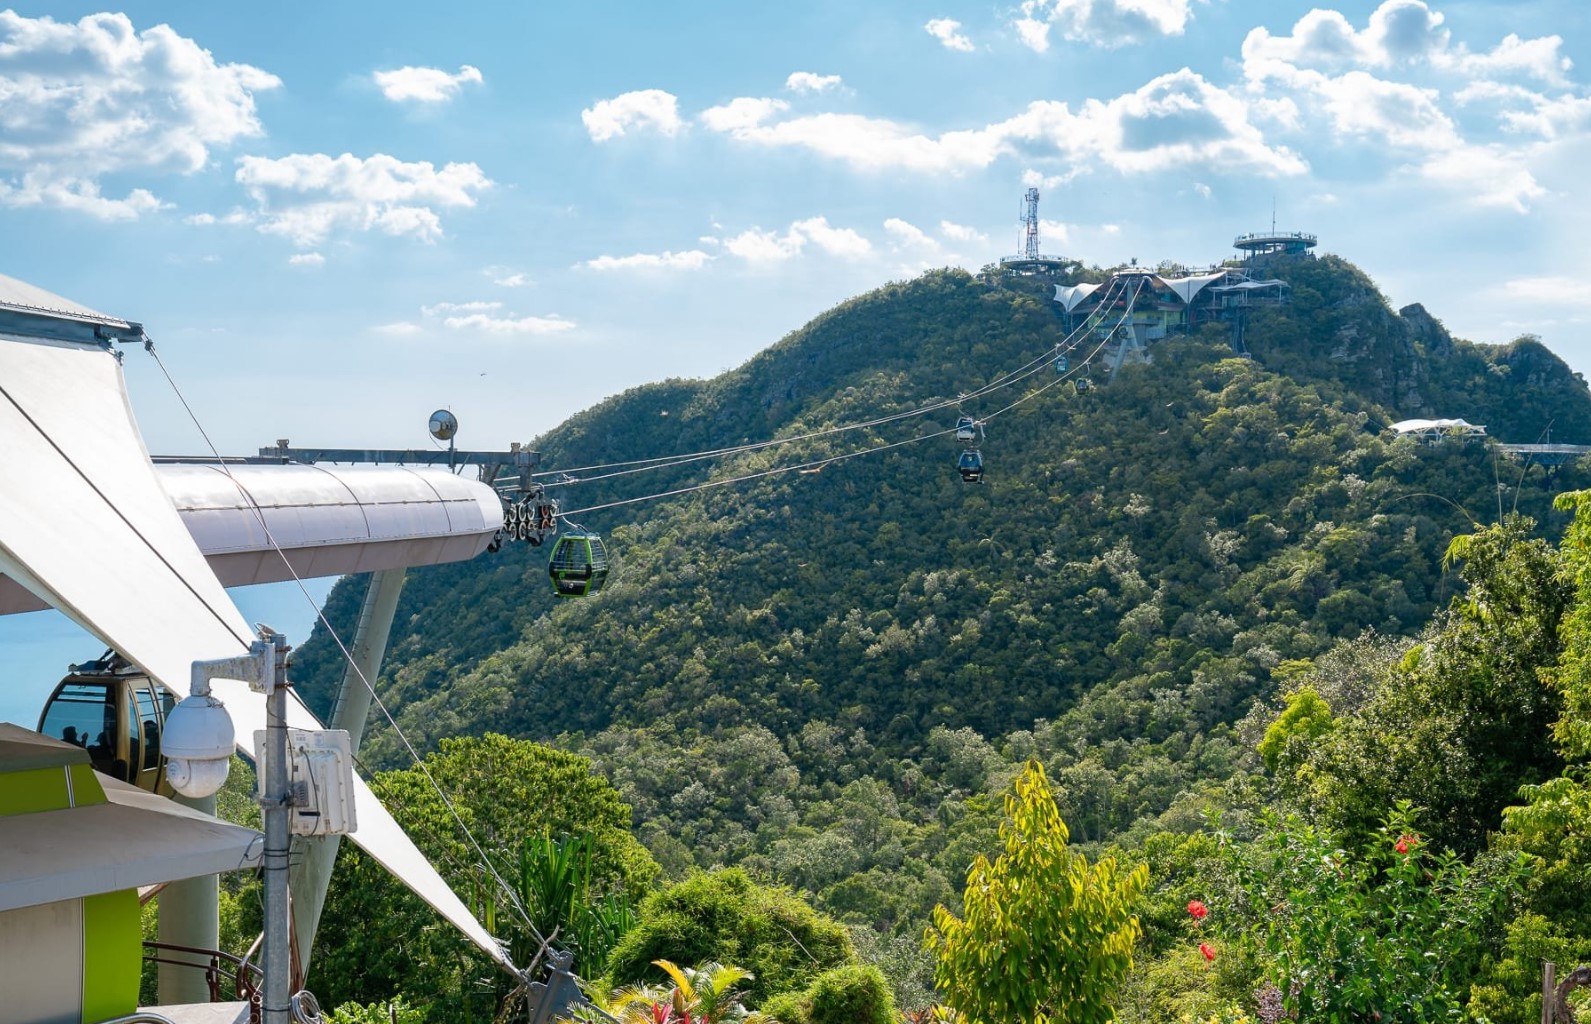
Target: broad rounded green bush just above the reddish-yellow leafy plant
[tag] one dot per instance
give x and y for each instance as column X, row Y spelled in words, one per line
column 728, row 918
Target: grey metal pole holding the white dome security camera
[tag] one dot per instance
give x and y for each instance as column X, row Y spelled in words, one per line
column 276, row 802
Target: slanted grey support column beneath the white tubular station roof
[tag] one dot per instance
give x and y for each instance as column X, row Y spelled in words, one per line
column 314, row 858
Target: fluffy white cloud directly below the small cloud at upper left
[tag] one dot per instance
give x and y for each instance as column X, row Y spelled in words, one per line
column 306, row 196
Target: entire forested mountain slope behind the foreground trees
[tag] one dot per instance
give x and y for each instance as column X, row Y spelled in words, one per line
column 827, row 677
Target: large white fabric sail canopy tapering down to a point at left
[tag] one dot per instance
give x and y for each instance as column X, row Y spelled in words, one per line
column 87, row 527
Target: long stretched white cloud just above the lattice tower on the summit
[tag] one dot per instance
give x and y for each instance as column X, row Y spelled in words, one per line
column 1172, row 122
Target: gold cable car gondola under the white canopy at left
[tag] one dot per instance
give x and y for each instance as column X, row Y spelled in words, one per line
column 115, row 713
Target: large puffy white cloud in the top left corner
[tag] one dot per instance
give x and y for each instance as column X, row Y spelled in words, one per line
column 91, row 98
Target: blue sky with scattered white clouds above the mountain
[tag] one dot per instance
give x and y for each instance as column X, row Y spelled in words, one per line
column 335, row 219
